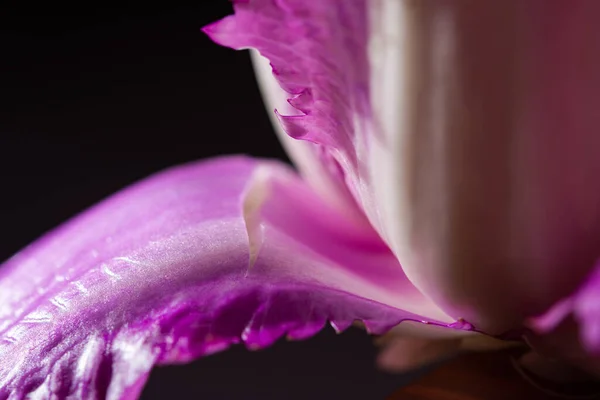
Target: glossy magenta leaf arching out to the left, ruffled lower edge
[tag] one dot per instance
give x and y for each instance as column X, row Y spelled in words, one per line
column 181, row 265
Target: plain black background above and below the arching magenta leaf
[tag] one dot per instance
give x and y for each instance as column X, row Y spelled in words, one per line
column 92, row 100
